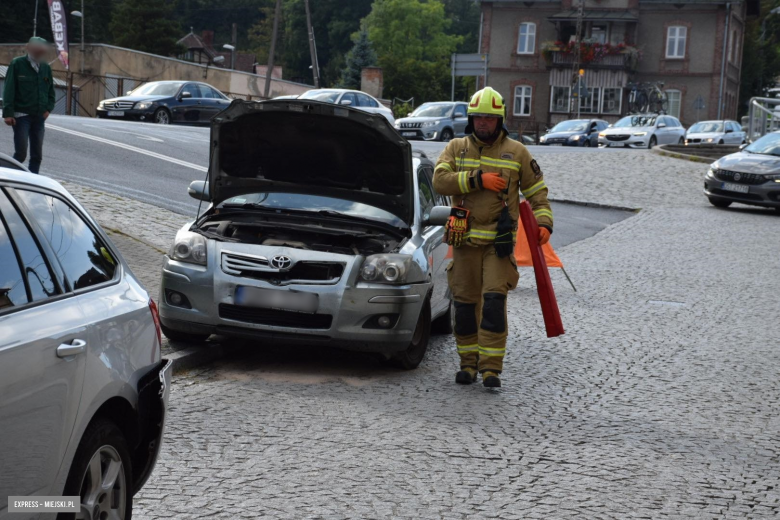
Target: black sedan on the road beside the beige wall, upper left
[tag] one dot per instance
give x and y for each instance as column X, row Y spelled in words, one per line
column 166, row 102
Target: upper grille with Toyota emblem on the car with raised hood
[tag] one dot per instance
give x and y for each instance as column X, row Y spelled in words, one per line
column 305, row 272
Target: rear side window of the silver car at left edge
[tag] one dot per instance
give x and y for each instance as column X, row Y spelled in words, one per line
column 84, row 258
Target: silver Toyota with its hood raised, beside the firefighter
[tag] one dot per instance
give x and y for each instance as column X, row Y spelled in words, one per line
column 323, row 229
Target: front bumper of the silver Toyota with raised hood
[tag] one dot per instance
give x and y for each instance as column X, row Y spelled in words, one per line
column 351, row 307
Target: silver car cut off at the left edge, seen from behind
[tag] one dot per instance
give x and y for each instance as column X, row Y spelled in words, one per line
column 83, row 388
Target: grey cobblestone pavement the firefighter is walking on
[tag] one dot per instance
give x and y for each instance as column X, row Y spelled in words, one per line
column 659, row 402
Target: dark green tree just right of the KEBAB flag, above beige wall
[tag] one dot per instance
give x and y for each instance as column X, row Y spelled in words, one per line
column 146, row 25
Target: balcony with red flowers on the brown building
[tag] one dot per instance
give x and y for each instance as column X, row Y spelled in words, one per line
column 592, row 56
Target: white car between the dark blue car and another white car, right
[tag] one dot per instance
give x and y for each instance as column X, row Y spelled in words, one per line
column 643, row 131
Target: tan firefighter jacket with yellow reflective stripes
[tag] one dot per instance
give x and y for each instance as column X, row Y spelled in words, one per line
column 456, row 175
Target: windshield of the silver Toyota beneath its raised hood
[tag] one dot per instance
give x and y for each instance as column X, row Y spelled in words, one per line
column 314, row 203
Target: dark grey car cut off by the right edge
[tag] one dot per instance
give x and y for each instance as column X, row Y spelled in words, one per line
column 751, row 176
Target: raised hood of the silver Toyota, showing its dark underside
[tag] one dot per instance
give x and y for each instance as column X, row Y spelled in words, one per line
column 309, row 147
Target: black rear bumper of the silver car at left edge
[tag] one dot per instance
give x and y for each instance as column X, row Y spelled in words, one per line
column 153, row 392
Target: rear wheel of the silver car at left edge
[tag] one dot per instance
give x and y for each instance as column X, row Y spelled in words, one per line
column 102, row 451
